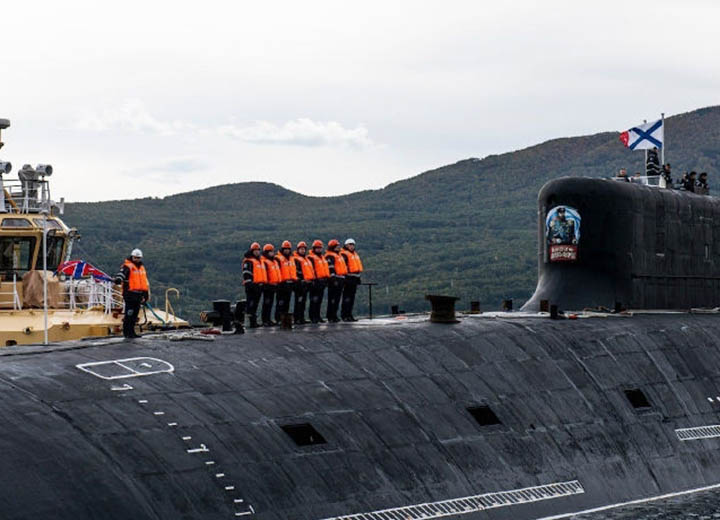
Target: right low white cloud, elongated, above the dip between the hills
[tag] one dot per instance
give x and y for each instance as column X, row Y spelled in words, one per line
column 299, row 132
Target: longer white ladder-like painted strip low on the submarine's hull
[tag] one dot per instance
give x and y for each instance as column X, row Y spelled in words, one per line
column 472, row 504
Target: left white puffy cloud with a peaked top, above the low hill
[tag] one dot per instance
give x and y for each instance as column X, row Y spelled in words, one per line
column 131, row 117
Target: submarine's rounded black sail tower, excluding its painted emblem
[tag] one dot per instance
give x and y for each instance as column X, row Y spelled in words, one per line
column 640, row 247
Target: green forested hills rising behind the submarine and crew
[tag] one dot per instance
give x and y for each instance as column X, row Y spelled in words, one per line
column 466, row 229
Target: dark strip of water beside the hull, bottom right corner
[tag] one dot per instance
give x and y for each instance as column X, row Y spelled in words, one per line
column 699, row 506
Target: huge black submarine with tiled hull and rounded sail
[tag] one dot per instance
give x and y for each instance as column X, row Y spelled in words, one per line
column 610, row 397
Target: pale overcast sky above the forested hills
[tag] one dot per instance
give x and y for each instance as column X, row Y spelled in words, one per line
column 134, row 99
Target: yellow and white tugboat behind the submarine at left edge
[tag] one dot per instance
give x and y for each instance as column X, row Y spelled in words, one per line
column 37, row 303
